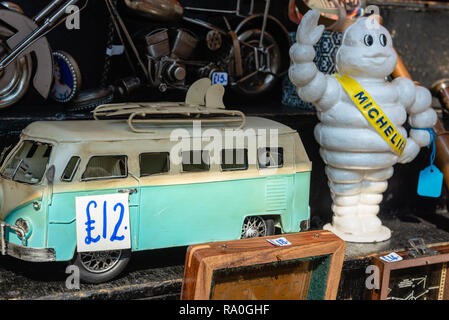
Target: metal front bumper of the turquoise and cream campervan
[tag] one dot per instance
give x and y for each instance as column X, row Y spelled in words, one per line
column 21, row 251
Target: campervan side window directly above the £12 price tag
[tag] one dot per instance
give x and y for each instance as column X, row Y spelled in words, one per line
column 106, row 167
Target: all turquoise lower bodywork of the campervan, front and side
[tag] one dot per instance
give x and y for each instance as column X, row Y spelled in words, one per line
column 176, row 215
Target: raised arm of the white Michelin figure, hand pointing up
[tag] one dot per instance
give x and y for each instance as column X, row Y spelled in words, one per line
column 312, row 85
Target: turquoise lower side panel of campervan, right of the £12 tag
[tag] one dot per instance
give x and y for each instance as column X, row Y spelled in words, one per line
column 215, row 211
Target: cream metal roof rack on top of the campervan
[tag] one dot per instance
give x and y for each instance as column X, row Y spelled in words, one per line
column 142, row 114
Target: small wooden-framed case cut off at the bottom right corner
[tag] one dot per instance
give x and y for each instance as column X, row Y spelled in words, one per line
column 423, row 277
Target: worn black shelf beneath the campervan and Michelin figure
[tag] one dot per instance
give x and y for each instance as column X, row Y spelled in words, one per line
column 159, row 275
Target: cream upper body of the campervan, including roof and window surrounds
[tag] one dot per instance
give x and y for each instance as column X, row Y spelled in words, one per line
column 106, row 137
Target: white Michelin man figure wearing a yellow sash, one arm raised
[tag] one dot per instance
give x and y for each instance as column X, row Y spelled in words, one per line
column 359, row 160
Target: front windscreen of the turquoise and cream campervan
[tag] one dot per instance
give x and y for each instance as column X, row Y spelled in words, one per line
column 28, row 163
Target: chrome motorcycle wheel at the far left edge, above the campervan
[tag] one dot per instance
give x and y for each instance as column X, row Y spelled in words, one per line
column 14, row 79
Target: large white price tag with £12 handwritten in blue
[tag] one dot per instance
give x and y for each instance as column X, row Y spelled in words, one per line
column 102, row 222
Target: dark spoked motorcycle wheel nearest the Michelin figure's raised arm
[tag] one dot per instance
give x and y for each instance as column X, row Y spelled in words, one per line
column 255, row 82
